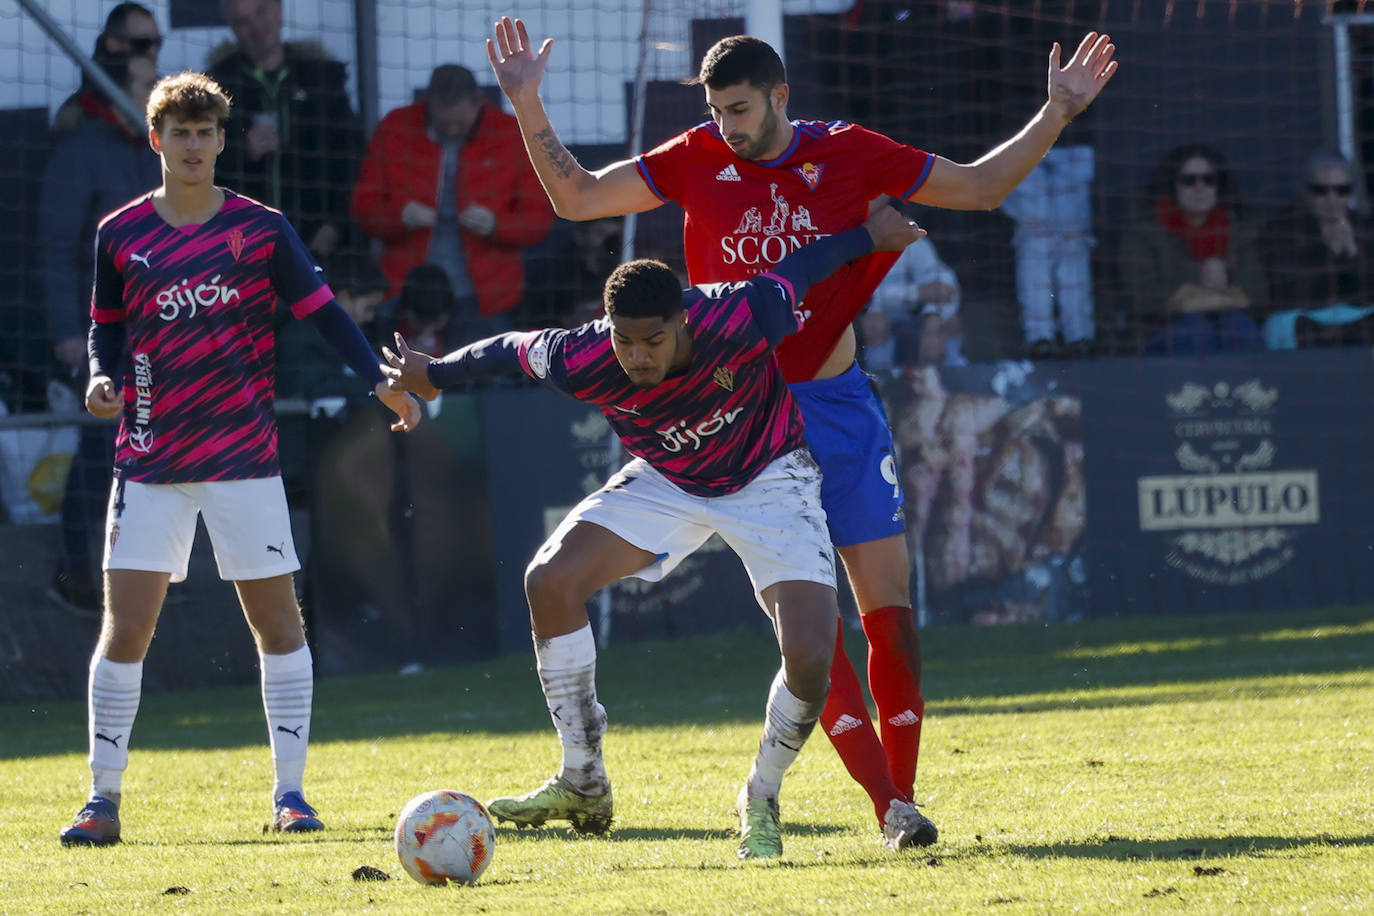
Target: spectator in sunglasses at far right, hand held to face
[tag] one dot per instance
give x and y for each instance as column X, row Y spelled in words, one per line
column 1317, row 255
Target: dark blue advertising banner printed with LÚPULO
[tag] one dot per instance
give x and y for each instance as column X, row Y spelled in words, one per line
column 1230, row 483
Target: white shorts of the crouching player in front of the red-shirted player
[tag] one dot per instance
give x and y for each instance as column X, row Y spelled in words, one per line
column 776, row 524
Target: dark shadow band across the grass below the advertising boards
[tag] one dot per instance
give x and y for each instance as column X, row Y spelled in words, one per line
column 725, row 679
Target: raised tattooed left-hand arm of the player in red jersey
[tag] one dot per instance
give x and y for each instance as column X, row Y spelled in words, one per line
column 575, row 193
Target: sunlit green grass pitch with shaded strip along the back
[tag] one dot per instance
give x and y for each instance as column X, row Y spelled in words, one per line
column 1148, row 766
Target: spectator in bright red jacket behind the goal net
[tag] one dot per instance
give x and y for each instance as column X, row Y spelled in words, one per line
column 447, row 182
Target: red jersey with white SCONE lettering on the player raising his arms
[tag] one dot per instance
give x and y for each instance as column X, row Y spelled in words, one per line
column 744, row 216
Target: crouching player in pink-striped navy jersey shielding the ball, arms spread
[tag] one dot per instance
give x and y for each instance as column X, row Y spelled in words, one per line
column 689, row 382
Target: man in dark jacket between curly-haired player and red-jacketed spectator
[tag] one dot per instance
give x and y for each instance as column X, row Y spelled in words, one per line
column 293, row 139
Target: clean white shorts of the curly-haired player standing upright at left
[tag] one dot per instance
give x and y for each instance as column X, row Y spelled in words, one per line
column 152, row 527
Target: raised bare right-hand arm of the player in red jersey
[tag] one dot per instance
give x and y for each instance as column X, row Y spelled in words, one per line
column 987, row 182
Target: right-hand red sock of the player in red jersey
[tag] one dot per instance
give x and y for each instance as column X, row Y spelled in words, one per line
column 895, row 683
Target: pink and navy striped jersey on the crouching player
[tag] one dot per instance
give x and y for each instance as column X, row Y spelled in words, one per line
column 710, row 429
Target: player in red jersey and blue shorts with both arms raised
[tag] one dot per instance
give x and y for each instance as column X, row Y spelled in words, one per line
column 755, row 186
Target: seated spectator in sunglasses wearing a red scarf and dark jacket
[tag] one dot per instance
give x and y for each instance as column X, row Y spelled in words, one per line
column 1192, row 263
